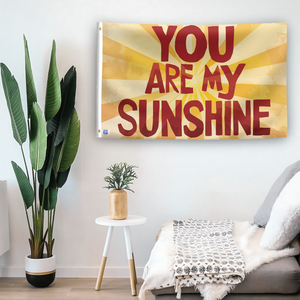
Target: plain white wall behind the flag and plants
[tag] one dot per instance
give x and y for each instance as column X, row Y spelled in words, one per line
column 177, row 179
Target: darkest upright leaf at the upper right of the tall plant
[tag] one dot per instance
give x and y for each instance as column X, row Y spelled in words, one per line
column 68, row 90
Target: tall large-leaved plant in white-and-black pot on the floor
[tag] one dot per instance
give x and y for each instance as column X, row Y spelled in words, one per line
column 53, row 141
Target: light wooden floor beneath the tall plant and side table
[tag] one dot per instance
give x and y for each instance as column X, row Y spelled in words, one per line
column 69, row 288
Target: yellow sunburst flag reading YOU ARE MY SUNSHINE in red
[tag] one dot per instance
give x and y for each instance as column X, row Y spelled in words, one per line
column 192, row 81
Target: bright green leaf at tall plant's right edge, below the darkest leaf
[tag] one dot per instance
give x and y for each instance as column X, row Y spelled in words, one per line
column 65, row 153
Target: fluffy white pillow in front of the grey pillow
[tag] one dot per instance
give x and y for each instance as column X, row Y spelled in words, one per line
column 284, row 223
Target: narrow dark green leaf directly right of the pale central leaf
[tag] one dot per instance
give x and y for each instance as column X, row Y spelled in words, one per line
column 45, row 172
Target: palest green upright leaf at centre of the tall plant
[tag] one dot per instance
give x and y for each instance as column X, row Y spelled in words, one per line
column 38, row 138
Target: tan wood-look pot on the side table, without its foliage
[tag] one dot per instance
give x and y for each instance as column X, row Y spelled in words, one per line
column 118, row 209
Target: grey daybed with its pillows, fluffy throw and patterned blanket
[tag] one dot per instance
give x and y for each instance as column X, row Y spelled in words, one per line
column 262, row 259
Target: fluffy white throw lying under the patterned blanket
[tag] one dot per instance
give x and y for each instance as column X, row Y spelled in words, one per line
column 159, row 270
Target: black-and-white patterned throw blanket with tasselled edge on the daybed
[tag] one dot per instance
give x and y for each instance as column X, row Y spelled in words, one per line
column 206, row 253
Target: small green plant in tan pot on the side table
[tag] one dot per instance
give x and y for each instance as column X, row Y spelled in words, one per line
column 121, row 176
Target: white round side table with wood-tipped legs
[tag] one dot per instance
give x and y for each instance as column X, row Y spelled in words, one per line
column 130, row 221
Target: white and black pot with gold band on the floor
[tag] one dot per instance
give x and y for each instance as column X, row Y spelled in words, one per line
column 40, row 272
